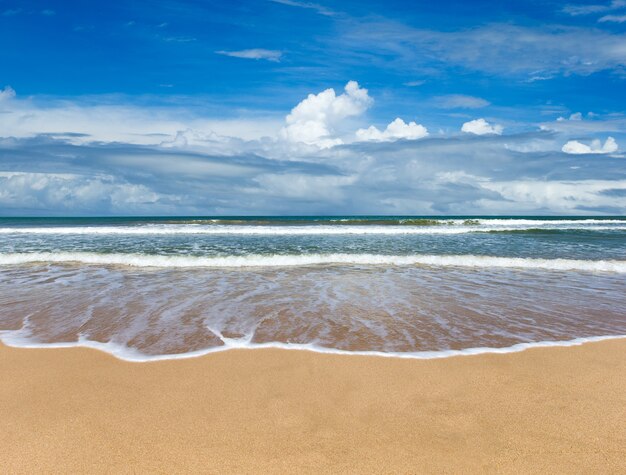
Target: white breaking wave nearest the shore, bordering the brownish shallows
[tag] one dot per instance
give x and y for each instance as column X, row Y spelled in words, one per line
column 291, row 260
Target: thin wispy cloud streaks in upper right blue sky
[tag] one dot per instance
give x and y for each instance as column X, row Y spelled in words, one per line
column 503, row 49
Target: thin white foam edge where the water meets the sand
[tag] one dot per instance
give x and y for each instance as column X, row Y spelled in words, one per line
column 16, row 339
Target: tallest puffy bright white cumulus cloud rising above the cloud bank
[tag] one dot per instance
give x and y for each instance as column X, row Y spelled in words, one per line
column 313, row 120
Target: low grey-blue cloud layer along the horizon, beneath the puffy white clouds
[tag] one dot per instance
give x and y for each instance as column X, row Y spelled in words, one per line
column 453, row 175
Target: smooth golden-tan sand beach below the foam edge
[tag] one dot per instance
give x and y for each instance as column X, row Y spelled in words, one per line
column 541, row 410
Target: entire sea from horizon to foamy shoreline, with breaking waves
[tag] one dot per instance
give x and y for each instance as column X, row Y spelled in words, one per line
column 155, row 288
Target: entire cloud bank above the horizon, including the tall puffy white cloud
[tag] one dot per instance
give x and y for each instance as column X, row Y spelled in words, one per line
column 323, row 157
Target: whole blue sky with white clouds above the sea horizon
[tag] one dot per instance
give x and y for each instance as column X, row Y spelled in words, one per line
column 289, row 107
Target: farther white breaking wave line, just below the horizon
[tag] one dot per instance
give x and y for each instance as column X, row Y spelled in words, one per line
column 311, row 230
